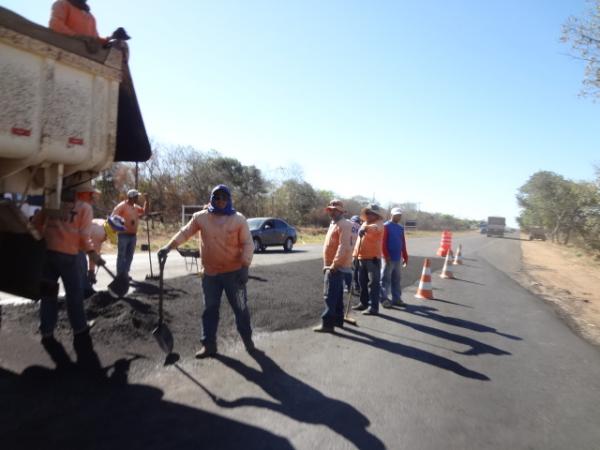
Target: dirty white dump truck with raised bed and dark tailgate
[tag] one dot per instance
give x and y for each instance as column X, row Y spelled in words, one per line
column 67, row 111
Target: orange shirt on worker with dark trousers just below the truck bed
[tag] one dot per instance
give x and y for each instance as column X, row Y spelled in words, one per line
column 69, row 232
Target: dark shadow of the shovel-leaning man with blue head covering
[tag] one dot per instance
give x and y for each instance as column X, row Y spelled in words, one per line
column 300, row 401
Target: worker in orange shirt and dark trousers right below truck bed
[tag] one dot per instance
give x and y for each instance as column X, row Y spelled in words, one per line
column 65, row 233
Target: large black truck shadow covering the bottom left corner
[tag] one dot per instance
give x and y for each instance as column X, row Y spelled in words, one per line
column 57, row 409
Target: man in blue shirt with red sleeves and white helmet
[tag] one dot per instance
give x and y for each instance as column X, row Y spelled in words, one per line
column 394, row 255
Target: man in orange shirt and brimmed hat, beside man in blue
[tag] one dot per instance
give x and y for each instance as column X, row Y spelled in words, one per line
column 368, row 251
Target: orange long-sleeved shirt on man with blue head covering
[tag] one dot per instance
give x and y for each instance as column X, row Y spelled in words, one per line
column 225, row 241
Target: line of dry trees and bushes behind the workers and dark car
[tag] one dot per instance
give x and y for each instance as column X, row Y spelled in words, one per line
column 177, row 176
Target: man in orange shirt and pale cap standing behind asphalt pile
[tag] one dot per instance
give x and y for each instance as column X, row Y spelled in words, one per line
column 131, row 212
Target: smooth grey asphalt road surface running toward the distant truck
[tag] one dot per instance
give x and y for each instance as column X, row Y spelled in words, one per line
column 486, row 365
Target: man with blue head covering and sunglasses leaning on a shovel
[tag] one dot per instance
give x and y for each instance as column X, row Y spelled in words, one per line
column 226, row 251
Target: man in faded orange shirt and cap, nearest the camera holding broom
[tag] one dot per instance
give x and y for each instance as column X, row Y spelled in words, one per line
column 337, row 259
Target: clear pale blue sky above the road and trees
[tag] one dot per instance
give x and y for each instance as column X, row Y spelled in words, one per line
column 451, row 104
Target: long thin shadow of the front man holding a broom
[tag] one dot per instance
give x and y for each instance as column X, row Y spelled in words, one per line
column 412, row 353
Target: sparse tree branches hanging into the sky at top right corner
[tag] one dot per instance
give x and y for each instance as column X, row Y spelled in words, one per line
column 583, row 34
